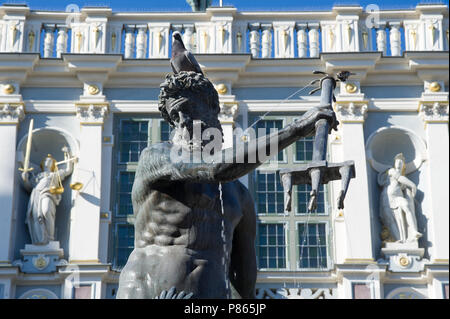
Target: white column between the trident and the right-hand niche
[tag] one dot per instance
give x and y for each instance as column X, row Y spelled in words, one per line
column 357, row 212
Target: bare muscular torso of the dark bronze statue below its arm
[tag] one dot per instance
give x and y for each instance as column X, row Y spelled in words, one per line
column 178, row 239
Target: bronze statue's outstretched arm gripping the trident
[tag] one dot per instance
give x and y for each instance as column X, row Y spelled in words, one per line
column 156, row 164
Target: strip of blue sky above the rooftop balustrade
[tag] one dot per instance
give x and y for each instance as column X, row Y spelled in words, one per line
column 245, row 5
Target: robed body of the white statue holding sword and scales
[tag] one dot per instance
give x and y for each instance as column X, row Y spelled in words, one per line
column 46, row 189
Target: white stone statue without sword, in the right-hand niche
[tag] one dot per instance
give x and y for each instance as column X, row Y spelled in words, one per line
column 397, row 210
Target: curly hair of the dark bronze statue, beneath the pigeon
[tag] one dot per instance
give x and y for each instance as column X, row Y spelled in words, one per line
column 195, row 82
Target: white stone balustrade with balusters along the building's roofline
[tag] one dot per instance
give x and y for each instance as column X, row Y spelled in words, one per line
column 225, row 30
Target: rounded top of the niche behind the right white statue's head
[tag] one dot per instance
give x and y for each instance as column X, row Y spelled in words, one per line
column 385, row 143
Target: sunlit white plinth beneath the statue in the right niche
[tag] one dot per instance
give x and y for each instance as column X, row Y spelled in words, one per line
column 404, row 257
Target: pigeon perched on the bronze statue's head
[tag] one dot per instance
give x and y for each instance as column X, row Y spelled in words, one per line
column 182, row 59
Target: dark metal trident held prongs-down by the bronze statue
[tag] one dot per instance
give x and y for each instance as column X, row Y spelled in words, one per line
column 319, row 171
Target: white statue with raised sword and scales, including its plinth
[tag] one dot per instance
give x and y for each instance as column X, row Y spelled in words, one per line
column 46, row 189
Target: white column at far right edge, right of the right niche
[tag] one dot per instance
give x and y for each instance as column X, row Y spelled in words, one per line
column 435, row 116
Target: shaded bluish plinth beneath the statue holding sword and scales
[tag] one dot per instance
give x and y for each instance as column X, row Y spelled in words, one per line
column 41, row 258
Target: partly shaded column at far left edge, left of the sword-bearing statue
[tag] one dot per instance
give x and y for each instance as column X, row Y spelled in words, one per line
column 10, row 116
